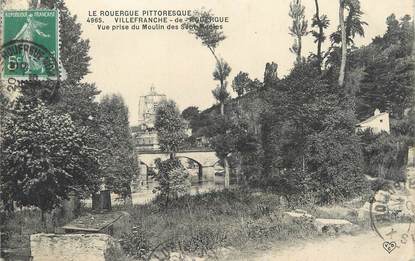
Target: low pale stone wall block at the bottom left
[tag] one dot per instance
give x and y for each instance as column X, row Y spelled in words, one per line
column 75, row 247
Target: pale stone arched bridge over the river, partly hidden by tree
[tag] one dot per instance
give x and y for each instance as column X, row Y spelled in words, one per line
column 205, row 159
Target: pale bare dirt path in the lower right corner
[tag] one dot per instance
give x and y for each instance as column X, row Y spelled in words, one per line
column 366, row 246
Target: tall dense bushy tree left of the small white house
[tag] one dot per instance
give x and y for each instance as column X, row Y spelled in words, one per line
column 334, row 157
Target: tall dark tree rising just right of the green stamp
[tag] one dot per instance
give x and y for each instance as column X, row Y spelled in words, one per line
column 73, row 97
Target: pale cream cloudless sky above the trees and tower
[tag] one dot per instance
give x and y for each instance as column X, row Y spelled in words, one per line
column 129, row 62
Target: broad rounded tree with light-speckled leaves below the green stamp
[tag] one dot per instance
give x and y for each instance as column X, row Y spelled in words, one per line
column 44, row 157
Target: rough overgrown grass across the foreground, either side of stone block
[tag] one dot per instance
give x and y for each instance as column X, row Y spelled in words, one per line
column 198, row 225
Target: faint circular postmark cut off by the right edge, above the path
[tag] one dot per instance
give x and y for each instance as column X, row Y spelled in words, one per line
column 391, row 214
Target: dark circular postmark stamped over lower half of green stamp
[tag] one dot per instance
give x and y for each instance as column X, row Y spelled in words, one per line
column 28, row 67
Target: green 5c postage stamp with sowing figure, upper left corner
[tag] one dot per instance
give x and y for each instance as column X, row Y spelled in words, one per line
column 30, row 44
